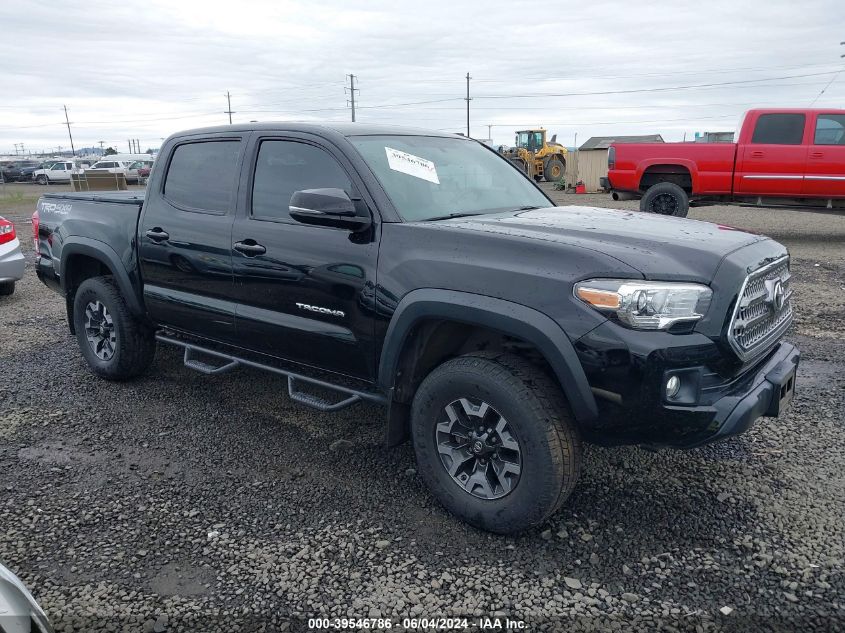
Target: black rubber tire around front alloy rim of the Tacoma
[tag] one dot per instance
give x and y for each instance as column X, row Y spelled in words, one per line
column 538, row 417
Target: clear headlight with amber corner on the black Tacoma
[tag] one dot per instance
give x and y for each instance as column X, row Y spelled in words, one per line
column 646, row 305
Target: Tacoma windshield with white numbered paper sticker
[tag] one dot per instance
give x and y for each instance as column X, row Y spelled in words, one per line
column 430, row 177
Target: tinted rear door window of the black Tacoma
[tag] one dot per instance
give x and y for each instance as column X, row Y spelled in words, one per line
column 202, row 176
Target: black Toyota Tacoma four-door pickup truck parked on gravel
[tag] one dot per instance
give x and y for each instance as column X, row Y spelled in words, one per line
column 422, row 271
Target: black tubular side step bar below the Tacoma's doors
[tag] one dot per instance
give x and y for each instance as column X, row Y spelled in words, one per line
column 191, row 360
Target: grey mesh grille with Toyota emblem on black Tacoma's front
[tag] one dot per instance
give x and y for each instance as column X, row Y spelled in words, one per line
column 763, row 311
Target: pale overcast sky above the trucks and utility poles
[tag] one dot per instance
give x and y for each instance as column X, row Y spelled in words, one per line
column 147, row 69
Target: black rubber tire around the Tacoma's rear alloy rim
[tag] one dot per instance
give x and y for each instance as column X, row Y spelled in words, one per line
column 133, row 345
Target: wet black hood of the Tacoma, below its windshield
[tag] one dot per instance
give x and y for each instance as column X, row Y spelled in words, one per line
column 660, row 247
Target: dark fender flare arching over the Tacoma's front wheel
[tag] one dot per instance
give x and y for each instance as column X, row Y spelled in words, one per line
column 505, row 316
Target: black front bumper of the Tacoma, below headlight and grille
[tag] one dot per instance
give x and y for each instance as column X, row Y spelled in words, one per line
column 719, row 397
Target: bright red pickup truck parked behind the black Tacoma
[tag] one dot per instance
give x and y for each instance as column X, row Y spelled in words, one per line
column 781, row 156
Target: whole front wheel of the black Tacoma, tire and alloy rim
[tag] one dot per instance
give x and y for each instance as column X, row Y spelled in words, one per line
column 495, row 441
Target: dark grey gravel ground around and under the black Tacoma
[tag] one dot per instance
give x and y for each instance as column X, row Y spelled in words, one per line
column 183, row 503
